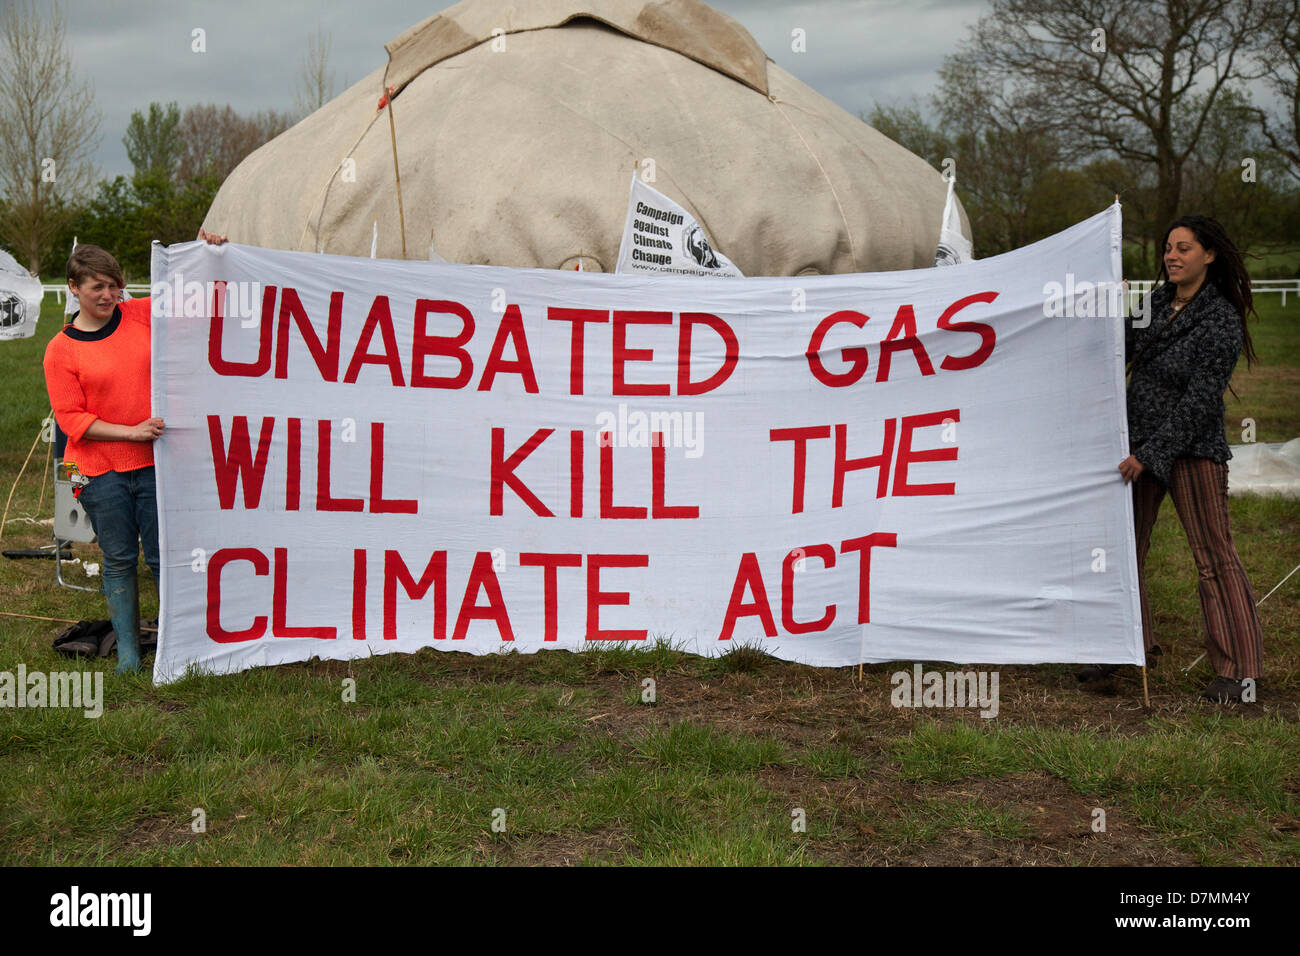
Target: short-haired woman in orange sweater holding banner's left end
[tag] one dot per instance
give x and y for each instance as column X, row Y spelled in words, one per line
column 98, row 378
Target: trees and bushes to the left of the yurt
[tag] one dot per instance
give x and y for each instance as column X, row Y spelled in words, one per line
column 50, row 191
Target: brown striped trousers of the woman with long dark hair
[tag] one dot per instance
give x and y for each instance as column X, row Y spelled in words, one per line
column 1234, row 641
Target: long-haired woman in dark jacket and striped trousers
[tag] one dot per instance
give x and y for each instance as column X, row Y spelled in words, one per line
column 1181, row 365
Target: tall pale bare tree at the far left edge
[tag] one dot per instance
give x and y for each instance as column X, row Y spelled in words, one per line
column 49, row 129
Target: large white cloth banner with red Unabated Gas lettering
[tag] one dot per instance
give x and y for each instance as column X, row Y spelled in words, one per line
column 370, row 457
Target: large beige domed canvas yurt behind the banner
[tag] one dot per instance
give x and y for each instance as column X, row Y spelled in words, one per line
column 518, row 129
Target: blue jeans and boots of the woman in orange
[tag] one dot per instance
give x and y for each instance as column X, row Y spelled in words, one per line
column 123, row 511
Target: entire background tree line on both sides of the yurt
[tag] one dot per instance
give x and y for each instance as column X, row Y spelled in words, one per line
column 1047, row 111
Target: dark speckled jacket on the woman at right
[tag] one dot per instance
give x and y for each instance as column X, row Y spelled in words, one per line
column 1176, row 391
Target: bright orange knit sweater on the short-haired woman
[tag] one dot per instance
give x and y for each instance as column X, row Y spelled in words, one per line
column 103, row 375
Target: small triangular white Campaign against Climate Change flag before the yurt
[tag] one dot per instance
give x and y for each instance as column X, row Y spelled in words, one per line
column 662, row 239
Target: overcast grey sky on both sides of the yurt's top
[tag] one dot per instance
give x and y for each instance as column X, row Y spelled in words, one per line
column 137, row 51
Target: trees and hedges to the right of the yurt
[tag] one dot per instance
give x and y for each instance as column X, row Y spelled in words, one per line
column 1051, row 109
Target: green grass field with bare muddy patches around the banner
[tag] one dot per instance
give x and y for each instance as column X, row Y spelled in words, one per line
column 562, row 755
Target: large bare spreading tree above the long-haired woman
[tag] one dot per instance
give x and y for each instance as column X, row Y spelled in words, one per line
column 1133, row 80
